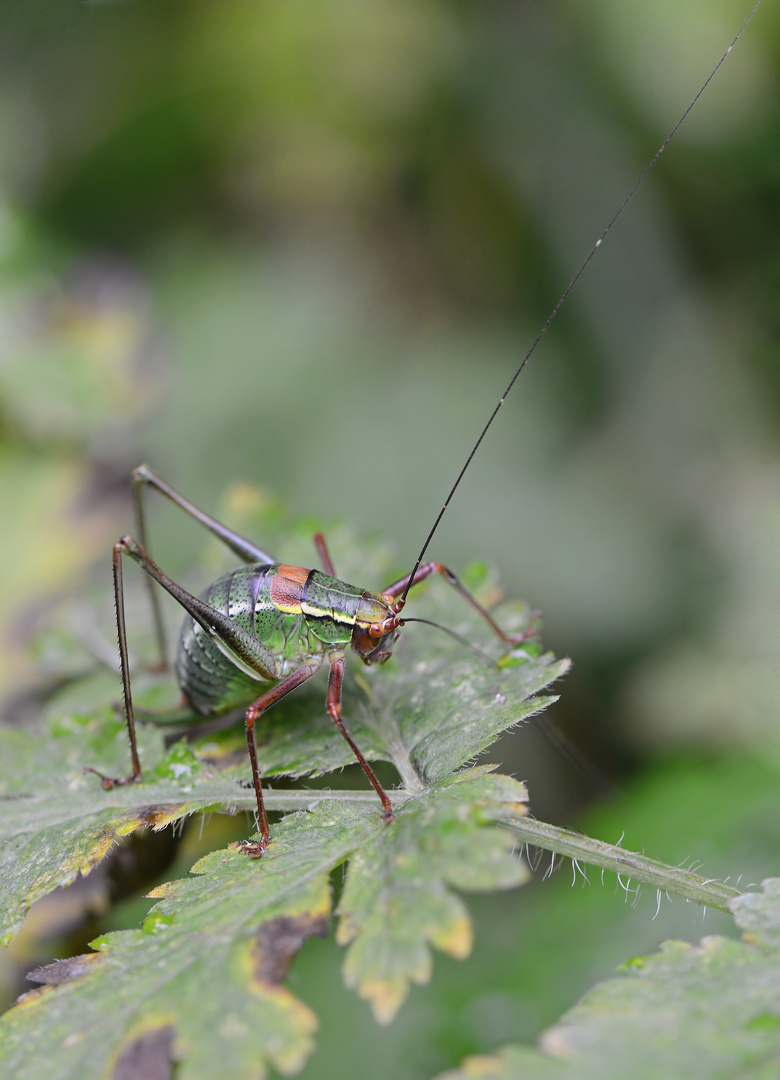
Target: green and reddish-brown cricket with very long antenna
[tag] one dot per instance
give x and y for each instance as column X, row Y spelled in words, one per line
column 263, row 630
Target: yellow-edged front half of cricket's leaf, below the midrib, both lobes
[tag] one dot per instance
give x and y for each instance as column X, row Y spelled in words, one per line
column 203, row 980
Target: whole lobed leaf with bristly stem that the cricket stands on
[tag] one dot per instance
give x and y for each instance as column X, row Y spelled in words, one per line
column 201, row 983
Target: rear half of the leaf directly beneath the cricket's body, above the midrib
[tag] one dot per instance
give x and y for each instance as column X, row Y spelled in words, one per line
column 428, row 713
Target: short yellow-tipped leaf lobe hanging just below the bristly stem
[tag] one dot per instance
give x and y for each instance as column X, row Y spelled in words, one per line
column 397, row 900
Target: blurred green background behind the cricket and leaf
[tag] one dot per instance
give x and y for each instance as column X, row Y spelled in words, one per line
column 305, row 246
